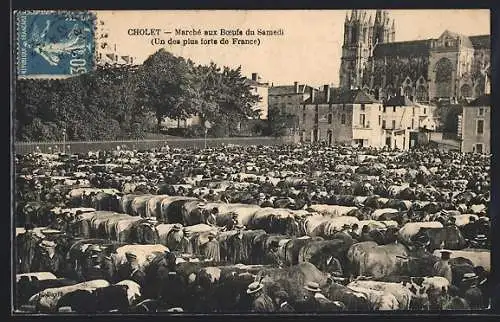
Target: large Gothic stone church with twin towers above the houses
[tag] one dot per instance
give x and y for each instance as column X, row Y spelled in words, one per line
column 451, row 66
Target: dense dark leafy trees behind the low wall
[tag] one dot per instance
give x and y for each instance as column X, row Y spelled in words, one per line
column 127, row 102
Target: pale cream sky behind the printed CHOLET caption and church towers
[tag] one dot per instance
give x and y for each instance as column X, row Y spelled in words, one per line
column 309, row 51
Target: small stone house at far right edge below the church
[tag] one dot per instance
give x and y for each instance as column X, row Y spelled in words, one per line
column 475, row 126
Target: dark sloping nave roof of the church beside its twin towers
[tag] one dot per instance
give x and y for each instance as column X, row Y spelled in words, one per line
column 403, row 48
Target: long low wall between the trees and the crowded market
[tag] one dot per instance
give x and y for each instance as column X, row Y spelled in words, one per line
column 86, row 146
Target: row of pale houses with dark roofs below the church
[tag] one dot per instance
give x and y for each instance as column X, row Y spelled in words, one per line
column 341, row 116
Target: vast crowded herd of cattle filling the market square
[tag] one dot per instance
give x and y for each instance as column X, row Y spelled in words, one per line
column 196, row 230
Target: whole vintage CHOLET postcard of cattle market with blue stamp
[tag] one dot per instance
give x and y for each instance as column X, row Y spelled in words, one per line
column 239, row 161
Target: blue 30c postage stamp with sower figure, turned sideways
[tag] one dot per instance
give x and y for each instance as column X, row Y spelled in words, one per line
column 54, row 43
